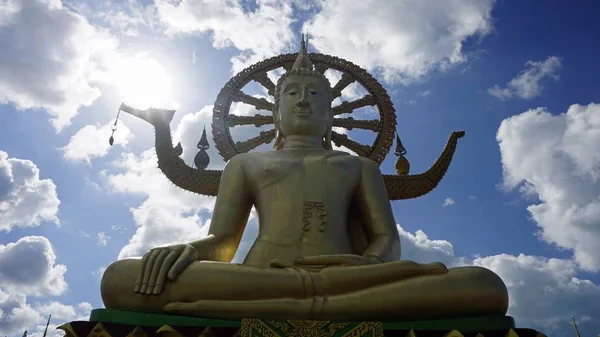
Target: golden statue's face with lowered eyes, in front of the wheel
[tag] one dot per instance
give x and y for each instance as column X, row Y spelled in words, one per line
column 304, row 107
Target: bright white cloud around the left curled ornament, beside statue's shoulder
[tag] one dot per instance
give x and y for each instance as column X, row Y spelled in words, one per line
column 169, row 214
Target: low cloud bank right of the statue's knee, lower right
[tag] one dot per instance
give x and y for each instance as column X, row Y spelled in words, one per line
column 543, row 292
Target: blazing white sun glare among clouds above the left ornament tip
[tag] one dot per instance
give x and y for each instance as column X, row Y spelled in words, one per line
column 142, row 82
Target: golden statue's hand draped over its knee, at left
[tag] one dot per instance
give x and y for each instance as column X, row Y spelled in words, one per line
column 162, row 263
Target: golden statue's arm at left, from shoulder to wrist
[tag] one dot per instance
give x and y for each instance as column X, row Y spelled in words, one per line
column 230, row 215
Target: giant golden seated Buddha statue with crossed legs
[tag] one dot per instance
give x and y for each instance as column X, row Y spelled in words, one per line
column 327, row 247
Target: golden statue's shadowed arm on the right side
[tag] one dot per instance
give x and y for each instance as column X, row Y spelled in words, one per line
column 377, row 215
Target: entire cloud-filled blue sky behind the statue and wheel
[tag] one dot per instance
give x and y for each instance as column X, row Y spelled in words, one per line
column 522, row 196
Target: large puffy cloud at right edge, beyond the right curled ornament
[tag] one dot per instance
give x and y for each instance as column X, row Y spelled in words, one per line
column 557, row 159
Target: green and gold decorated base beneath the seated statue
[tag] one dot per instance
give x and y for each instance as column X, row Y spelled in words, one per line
column 117, row 323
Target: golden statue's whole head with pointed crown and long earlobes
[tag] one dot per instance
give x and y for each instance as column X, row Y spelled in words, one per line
column 303, row 102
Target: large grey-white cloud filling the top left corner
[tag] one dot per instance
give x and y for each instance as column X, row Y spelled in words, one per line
column 49, row 67
